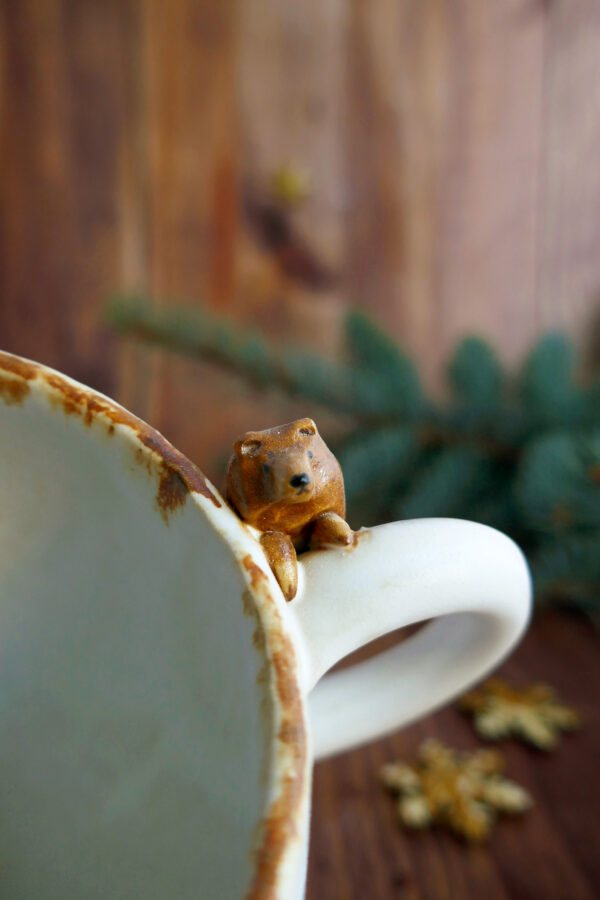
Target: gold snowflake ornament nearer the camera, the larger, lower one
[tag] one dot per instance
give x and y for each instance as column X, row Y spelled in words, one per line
column 463, row 792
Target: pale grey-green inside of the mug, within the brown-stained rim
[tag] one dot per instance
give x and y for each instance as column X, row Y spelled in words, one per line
column 137, row 719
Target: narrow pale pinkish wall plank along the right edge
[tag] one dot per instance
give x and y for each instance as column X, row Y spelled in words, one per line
column 569, row 261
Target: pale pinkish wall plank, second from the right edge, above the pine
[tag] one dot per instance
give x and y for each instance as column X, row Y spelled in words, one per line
column 490, row 175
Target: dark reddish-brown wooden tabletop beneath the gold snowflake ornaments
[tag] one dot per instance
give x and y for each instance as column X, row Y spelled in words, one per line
column 359, row 851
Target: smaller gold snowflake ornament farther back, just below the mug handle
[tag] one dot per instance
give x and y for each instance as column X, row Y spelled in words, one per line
column 533, row 713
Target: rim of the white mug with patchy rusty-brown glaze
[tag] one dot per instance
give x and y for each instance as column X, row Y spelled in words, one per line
column 278, row 833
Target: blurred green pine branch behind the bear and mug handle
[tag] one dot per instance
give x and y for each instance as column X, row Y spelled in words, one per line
column 521, row 453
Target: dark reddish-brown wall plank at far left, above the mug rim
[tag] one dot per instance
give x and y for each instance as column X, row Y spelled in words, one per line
column 59, row 138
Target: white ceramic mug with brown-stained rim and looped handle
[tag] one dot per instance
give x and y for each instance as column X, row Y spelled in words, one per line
column 159, row 700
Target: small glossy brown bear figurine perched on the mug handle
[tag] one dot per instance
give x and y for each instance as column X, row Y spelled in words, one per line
column 288, row 484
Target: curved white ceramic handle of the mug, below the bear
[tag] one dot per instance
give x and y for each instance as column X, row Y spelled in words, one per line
column 474, row 578
